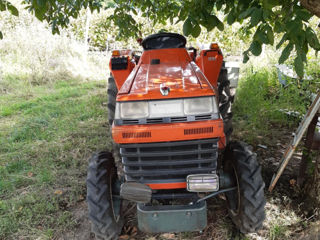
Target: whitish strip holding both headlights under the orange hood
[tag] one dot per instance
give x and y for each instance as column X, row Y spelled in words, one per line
column 166, row 108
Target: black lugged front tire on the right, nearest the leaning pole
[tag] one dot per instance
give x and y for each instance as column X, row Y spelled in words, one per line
column 246, row 204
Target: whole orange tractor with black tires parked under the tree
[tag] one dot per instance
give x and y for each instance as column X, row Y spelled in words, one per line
column 169, row 112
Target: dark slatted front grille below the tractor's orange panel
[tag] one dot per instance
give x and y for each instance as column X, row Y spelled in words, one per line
column 168, row 161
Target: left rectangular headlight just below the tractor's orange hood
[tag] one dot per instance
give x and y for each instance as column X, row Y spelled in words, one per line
column 130, row 110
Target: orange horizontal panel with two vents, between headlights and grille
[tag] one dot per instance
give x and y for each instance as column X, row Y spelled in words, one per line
column 127, row 134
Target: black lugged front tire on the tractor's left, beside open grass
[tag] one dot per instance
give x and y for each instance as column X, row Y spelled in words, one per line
column 104, row 208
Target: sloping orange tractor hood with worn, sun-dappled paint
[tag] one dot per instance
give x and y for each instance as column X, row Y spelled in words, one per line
column 156, row 71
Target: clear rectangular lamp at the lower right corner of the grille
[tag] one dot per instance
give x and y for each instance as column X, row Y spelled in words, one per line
column 203, row 183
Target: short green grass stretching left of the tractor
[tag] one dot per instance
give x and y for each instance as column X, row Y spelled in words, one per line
column 47, row 133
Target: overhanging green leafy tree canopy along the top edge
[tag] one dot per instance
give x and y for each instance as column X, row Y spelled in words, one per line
column 264, row 19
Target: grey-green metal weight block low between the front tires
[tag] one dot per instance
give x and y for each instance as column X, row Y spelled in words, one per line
column 172, row 218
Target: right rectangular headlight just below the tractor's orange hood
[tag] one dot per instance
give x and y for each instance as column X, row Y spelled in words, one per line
column 203, row 105
